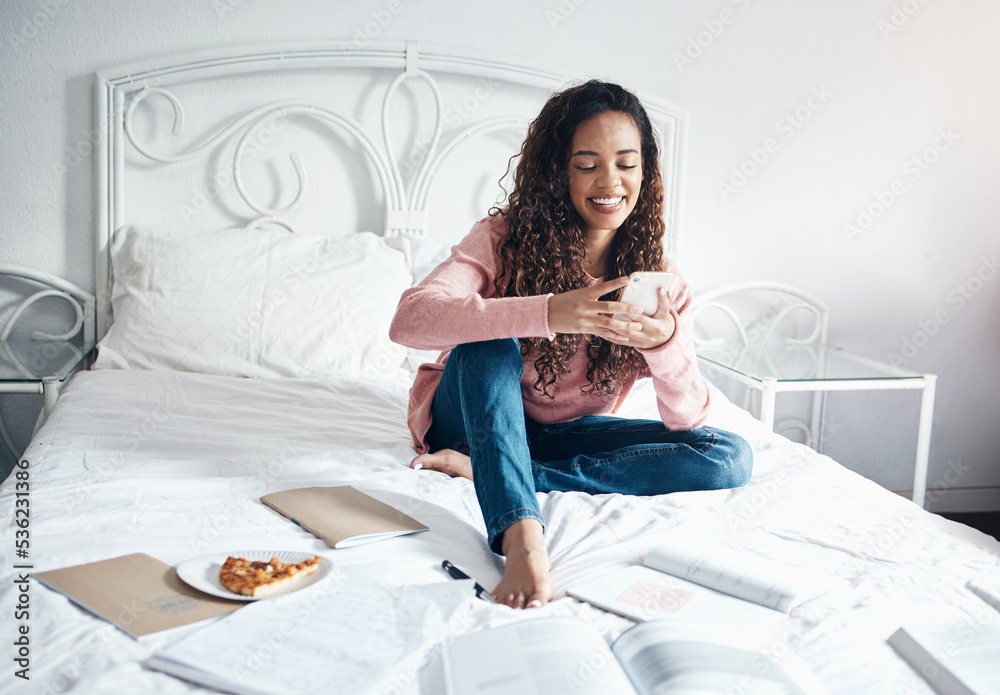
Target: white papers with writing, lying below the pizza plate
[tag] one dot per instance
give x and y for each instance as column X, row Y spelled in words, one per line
column 340, row 637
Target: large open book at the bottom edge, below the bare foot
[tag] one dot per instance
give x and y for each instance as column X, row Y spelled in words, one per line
column 555, row 655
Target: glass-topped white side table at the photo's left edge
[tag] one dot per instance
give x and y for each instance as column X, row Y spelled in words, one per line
column 41, row 366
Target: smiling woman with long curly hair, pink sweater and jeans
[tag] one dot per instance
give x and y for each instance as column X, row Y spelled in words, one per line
column 533, row 362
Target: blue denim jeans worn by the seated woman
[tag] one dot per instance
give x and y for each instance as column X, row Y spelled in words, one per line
column 477, row 410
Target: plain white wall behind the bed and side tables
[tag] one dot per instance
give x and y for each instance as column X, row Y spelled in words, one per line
column 870, row 84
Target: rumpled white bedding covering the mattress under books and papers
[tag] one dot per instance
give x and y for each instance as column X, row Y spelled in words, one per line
column 172, row 464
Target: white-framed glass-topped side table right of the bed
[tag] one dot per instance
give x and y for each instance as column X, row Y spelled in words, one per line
column 821, row 368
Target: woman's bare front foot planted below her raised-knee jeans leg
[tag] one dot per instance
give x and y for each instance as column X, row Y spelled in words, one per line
column 525, row 582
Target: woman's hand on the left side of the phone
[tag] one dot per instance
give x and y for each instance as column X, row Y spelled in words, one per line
column 581, row 311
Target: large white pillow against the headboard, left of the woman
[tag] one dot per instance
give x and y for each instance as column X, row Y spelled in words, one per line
column 254, row 303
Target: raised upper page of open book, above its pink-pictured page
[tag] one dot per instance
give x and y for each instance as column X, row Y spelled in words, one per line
column 742, row 574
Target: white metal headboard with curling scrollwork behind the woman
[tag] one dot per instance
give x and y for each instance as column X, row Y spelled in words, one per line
column 392, row 137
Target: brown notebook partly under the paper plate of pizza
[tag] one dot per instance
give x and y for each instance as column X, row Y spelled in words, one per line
column 138, row 593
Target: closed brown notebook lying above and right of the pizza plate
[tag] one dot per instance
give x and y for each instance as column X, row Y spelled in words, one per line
column 342, row 516
